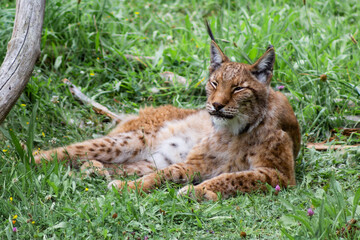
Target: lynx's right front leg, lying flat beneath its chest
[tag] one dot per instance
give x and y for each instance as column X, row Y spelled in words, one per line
column 228, row 184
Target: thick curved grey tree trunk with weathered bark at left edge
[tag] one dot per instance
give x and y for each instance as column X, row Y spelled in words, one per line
column 22, row 52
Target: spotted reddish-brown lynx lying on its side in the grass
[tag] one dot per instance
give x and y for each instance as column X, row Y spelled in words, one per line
column 247, row 136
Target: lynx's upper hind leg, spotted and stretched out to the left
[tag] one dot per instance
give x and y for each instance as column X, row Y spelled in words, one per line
column 110, row 149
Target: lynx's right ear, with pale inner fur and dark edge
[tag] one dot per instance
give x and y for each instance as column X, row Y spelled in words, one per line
column 262, row 69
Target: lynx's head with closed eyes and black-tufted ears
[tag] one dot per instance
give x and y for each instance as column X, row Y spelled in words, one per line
column 237, row 93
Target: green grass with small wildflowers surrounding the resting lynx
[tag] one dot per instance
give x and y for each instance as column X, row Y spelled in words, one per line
column 86, row 42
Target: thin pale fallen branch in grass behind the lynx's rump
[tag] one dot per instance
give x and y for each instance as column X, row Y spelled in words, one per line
column 86, row 100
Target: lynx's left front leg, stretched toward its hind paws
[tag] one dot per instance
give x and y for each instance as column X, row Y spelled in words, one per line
column 179, row 173
